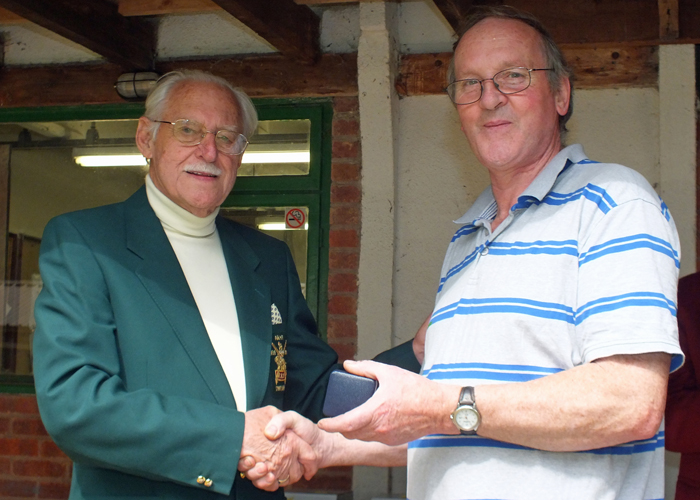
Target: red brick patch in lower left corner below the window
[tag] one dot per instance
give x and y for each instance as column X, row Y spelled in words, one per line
column 31, row 465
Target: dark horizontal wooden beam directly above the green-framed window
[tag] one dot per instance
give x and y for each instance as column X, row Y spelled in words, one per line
column 261, row 76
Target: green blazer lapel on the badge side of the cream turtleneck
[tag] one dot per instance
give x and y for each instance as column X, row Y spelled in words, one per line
column 253, row 305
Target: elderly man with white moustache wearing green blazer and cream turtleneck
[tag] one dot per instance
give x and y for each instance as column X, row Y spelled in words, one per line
column 164, row 331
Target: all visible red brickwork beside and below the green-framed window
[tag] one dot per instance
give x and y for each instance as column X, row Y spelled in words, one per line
column 31, row 466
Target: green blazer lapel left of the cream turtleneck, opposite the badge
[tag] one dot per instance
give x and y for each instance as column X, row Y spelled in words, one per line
column 162, row 276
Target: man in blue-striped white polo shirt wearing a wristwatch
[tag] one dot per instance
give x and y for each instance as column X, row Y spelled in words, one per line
column 554, row 328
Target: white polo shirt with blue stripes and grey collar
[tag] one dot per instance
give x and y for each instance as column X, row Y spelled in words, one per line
column 584, row 267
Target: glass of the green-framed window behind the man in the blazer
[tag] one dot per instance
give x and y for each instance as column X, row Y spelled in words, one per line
column 47, row 179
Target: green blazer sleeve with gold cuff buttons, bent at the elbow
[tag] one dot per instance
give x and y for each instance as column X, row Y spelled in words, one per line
column 80, row 383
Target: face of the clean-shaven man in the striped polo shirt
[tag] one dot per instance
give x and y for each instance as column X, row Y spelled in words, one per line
column 509, row 131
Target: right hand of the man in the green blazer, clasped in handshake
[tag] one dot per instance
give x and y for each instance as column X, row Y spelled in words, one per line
column 278, row 461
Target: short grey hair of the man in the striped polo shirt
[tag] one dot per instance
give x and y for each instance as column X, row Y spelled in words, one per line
column 554, row 58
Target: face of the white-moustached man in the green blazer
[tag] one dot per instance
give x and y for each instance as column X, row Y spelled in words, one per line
column 198, row 178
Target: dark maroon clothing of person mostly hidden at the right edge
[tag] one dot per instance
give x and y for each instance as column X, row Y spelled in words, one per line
column 683, row 402
